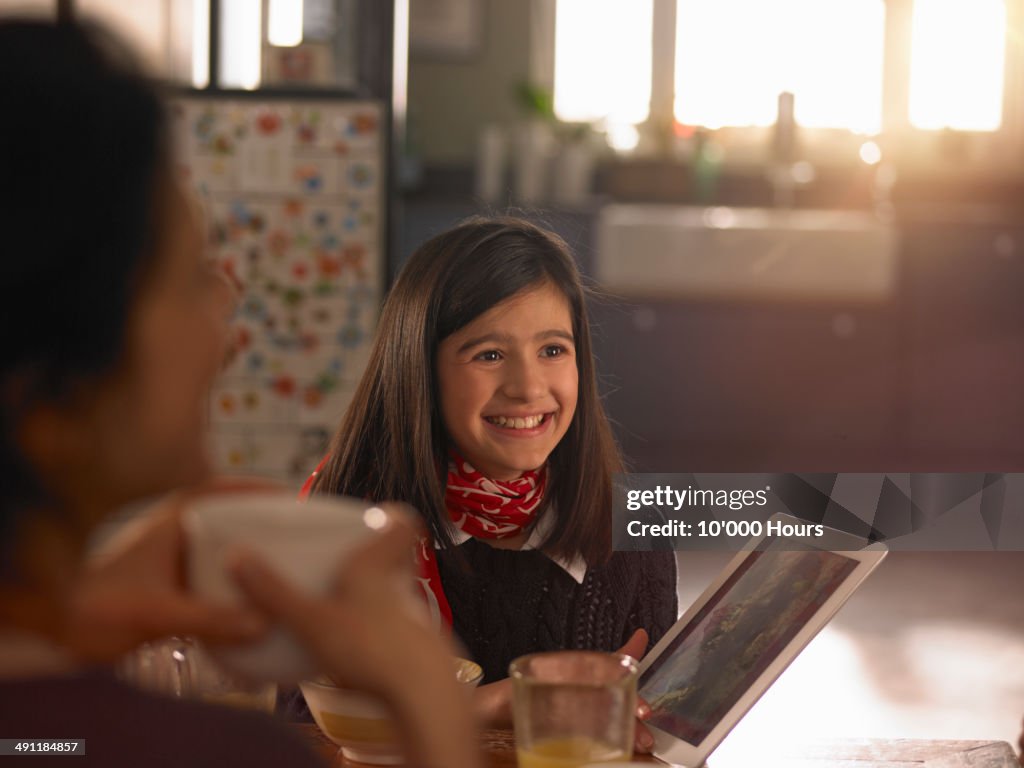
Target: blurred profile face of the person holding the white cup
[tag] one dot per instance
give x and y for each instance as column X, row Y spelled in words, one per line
column 141, row 431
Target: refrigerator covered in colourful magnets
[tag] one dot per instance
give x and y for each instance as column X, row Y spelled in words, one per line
column 295, row 180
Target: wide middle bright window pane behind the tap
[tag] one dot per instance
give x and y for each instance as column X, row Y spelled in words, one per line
column 734, row 58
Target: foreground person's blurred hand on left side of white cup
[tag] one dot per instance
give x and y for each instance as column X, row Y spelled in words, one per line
column 135, row 590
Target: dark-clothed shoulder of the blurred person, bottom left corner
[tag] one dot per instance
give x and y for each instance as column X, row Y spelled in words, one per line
column 125, row 727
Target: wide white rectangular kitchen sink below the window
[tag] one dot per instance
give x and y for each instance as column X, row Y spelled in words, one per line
column 666, row 251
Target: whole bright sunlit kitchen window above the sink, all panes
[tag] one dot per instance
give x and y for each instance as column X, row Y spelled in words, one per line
column 912, row 71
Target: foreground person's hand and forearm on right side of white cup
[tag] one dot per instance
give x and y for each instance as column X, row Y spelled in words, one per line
column 364, row 637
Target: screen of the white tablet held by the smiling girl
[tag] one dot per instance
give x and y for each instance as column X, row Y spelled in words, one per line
column 709, row 666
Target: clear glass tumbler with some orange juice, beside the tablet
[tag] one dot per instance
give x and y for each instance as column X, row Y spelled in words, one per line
column 573, row 708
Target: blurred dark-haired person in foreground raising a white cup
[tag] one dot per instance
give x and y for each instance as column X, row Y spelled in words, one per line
column 103, row 383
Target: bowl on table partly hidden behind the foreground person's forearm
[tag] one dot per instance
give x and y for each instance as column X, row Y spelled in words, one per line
column 361, row 724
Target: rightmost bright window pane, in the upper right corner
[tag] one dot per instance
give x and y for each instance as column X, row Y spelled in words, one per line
column 957, row 62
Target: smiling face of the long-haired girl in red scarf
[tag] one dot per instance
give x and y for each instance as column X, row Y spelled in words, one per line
column 509, row 383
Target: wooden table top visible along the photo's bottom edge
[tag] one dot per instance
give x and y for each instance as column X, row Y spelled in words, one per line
column 499, row 750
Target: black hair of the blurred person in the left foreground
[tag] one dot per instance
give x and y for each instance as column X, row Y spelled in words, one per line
column 82, row 143
